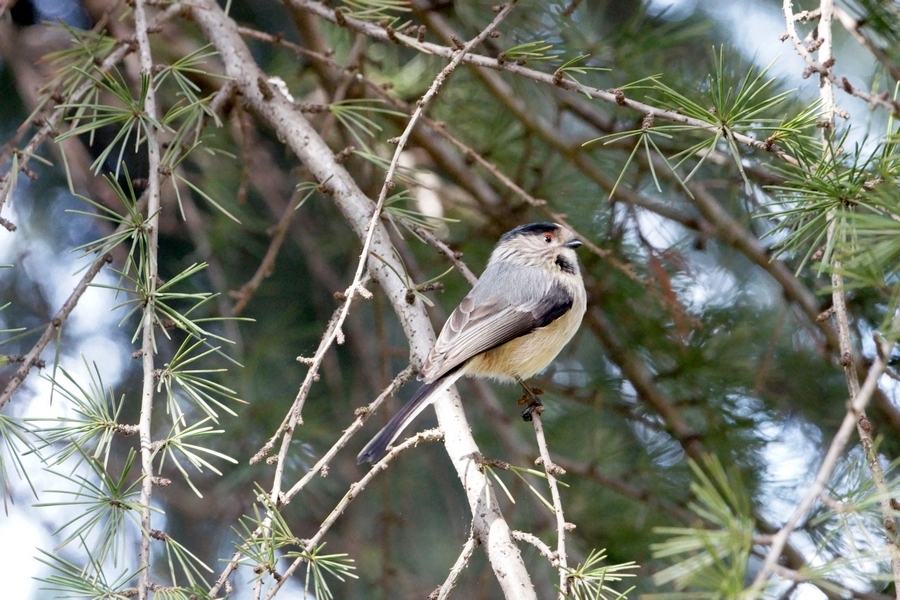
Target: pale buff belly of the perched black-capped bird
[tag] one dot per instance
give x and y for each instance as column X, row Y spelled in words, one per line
column 525, row 356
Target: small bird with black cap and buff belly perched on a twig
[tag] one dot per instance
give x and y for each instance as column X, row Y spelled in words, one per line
column 526, row 306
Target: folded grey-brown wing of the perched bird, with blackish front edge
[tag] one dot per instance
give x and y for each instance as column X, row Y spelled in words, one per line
column 482, row 322
